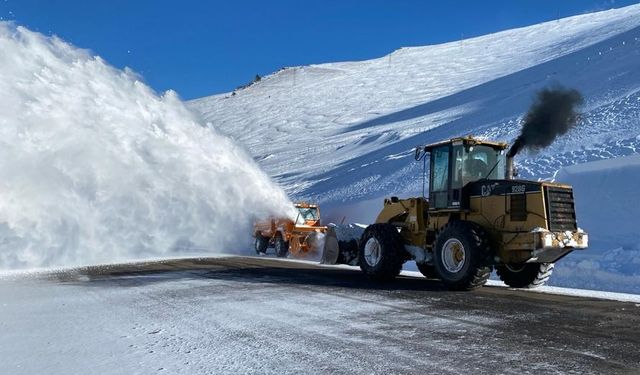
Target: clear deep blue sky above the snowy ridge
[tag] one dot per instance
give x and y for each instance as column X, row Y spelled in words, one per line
column 199, row 48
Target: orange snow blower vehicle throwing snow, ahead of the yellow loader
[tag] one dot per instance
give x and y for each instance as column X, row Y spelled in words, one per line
column 303, row 237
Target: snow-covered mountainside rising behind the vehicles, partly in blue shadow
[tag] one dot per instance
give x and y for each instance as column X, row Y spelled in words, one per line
column 343, row 134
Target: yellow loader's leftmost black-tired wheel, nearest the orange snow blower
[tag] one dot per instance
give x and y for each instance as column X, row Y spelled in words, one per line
column 382, row 258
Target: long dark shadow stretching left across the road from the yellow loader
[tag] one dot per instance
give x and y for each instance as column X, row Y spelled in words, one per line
column 241, row 269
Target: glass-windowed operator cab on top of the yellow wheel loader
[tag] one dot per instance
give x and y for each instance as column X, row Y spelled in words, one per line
column 456, row 163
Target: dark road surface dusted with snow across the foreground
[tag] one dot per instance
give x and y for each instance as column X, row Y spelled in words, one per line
column 261, row 315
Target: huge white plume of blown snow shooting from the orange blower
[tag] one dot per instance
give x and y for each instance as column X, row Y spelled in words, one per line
column 96, row 167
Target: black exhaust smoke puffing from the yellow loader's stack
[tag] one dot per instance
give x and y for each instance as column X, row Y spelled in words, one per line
column 552, row 114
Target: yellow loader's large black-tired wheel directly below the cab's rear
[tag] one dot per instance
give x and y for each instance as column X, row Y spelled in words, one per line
column 469, row 267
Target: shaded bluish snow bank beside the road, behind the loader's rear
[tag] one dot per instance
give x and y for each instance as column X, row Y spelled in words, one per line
column 607, row 207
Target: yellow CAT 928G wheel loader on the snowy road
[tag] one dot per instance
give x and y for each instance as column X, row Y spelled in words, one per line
column 477, row 217
